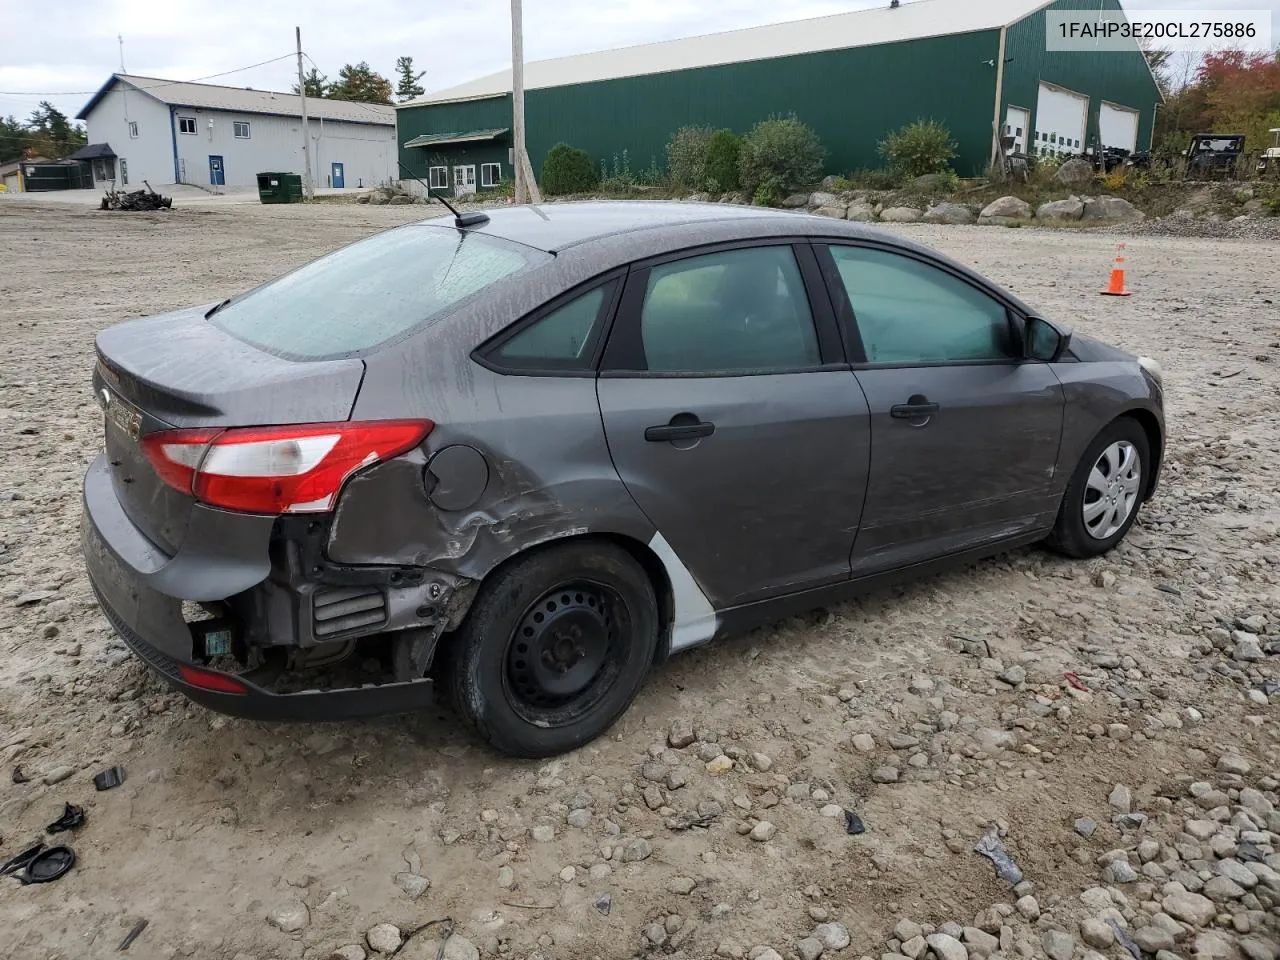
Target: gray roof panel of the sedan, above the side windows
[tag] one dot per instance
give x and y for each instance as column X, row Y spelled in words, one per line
column 556, row 227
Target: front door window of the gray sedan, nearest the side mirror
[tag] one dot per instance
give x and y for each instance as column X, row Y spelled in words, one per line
column 912, row 313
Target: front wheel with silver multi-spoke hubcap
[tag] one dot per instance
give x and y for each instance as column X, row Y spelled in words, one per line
column 1105, row 492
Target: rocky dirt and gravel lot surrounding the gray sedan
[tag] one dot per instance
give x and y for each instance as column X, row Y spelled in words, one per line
column 931, row 712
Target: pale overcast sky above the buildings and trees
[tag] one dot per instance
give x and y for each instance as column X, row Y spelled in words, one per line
column 70, row 49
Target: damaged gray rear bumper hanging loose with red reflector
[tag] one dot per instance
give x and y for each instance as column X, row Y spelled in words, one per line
column 136, row 584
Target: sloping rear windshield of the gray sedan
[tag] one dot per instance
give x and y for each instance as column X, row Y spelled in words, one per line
column 365, row 295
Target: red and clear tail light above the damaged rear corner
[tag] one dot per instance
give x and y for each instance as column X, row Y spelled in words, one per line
column 277, row 469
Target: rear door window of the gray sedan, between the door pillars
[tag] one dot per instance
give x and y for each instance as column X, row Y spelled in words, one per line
column 734, row 312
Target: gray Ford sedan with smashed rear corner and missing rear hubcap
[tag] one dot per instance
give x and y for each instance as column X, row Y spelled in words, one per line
column 524, row 458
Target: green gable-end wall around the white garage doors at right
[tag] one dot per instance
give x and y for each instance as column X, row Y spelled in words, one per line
column 1119, row 79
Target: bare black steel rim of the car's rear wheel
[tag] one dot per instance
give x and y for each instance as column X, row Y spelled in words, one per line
column 566, row 652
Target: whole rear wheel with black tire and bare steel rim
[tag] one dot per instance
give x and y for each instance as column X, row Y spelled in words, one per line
column 579, row 611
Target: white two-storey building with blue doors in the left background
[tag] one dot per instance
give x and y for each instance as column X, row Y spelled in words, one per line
column 171, row 132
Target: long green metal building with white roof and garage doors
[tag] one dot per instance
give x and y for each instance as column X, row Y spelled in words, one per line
column 976, row 66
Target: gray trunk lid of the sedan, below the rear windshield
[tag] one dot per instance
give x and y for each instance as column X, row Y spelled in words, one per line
column 179, row 371
